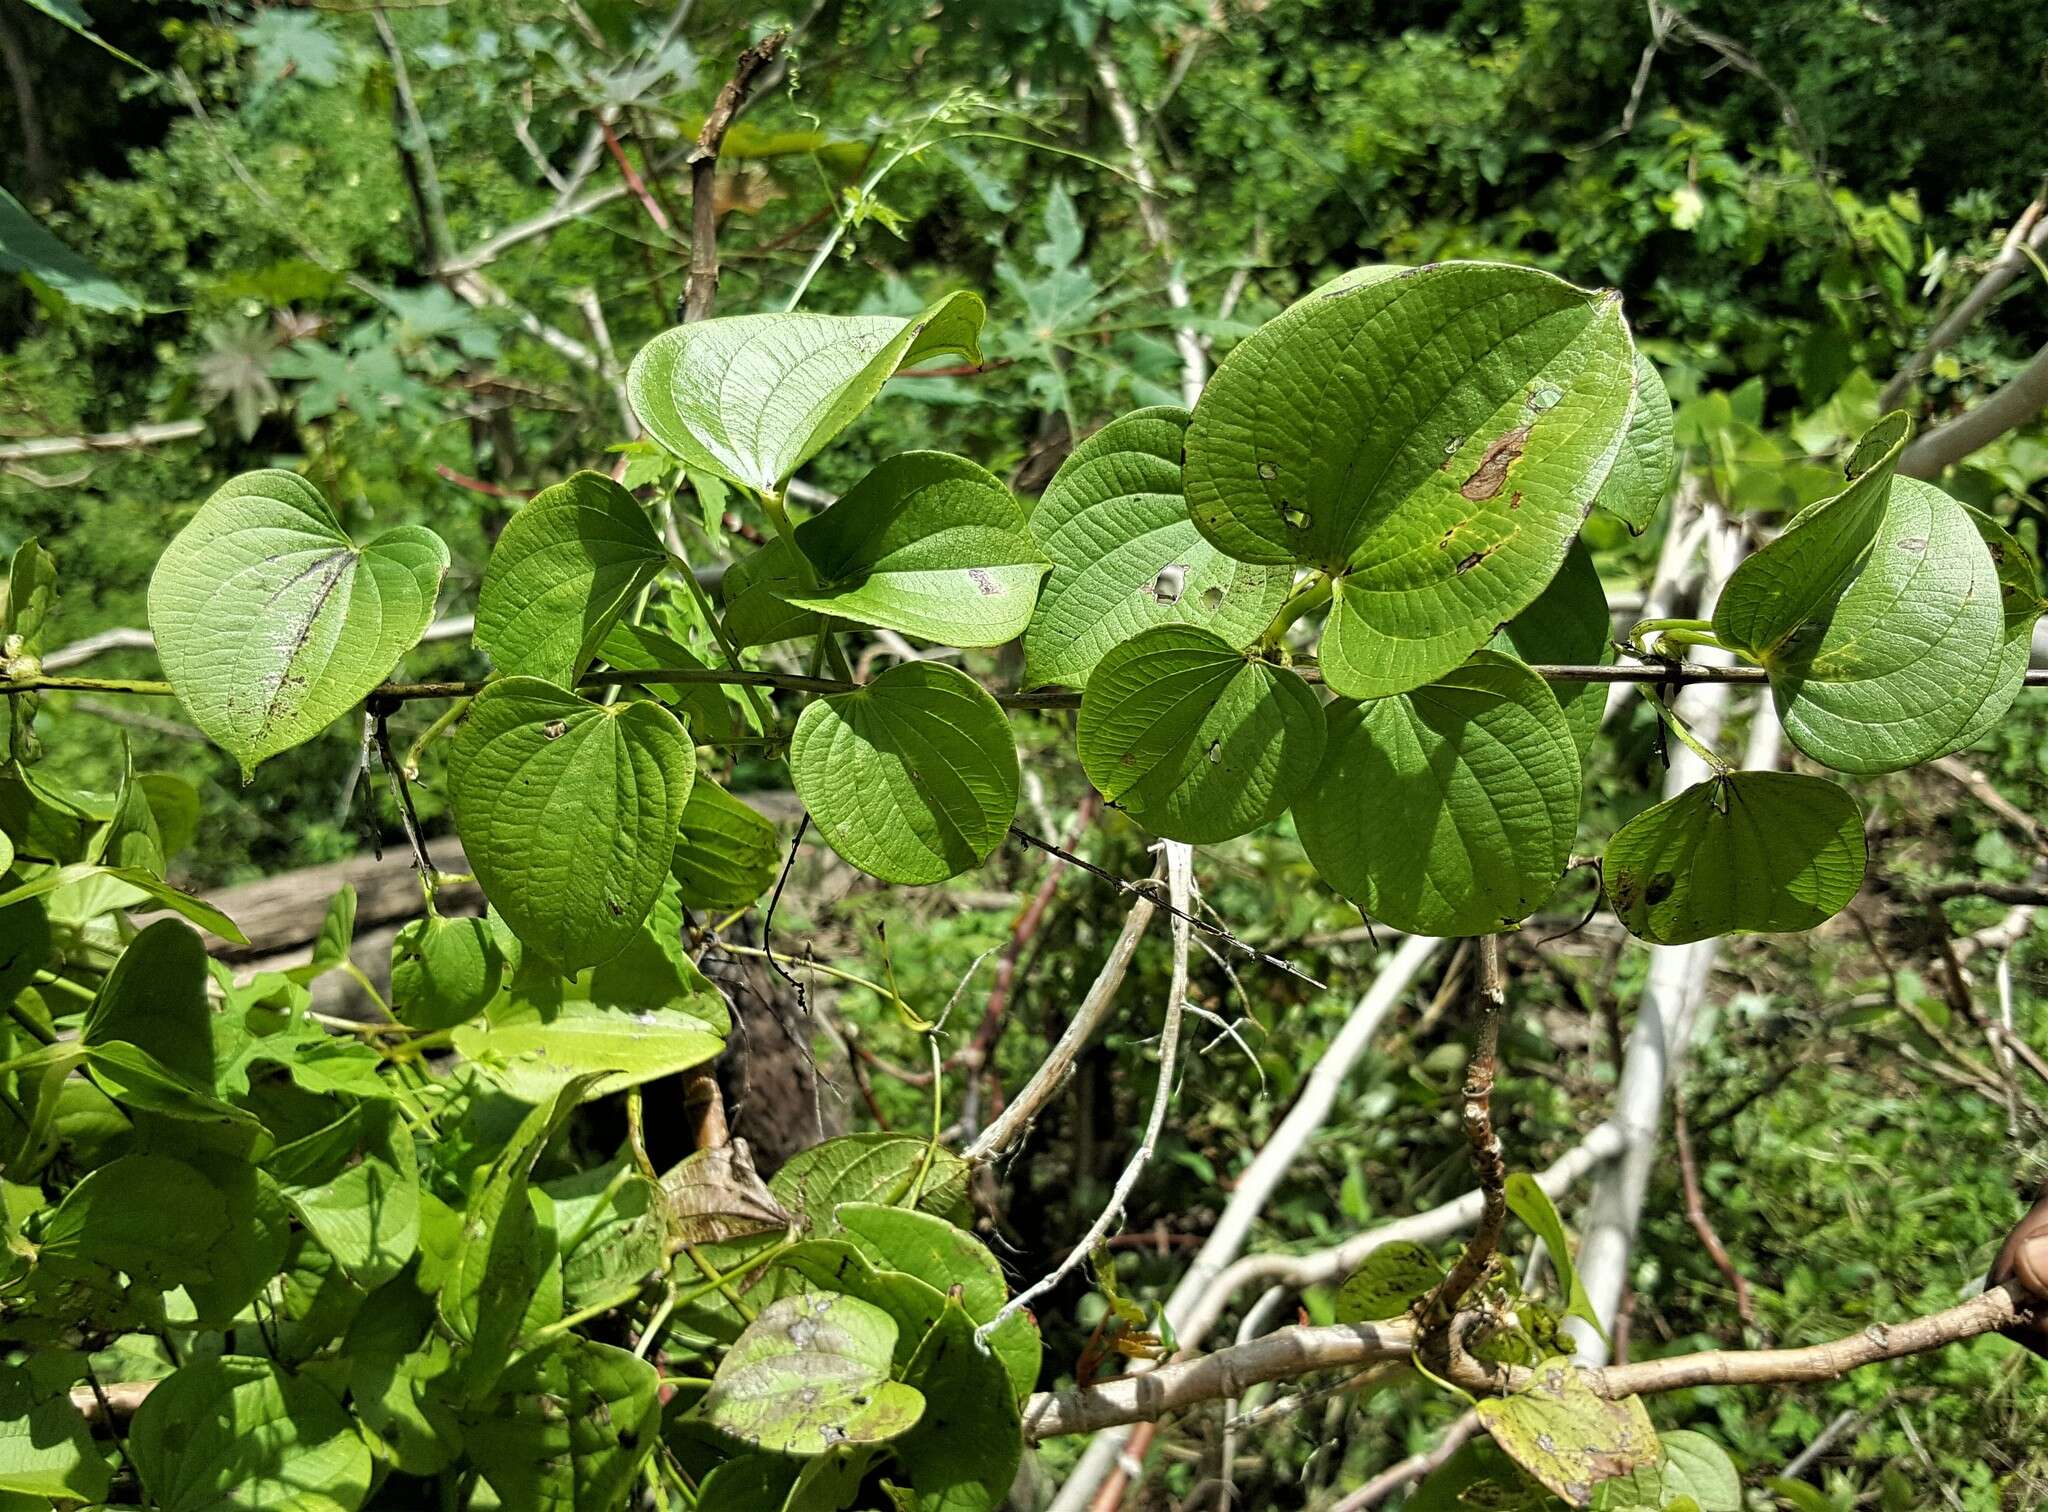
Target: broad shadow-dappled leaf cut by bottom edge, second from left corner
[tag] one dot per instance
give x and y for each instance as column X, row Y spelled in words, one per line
column 247, row 1433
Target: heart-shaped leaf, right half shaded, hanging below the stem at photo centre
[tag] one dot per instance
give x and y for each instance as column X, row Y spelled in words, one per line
column 914, row 778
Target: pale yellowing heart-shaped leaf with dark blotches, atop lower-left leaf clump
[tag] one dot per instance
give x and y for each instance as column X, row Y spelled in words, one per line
column 812, row 1374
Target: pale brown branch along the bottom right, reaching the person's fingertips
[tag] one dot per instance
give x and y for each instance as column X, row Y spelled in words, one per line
column 1304, row 1351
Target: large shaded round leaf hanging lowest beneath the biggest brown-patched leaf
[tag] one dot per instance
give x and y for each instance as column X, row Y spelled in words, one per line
column 1447, row 810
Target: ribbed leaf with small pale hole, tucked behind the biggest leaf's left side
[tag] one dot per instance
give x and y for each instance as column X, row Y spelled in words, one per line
column 1125, row 554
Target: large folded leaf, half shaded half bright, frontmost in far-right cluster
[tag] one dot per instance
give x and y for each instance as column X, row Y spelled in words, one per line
column 1877, row 614
